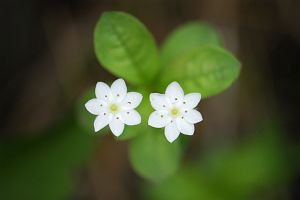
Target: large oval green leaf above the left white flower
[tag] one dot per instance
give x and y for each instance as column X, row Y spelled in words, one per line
column 126, row 48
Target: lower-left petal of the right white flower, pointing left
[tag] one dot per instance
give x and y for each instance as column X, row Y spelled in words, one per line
column 159, row 119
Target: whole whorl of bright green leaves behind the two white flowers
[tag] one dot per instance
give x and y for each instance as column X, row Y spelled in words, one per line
column 191, row 55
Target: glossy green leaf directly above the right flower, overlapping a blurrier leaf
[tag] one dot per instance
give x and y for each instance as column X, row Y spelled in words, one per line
column 208, row 70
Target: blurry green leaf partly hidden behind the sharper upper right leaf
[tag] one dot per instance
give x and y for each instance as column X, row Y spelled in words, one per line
column 185, row 38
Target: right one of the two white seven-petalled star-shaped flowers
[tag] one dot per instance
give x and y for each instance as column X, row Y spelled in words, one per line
column 175, row 111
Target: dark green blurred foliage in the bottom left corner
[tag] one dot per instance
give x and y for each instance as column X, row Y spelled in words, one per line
column 44, row 167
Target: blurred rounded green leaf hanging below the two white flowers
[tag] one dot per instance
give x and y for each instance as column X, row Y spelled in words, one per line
column 153, row 157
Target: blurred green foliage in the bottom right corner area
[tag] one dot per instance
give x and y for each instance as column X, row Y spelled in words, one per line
column 230, row 172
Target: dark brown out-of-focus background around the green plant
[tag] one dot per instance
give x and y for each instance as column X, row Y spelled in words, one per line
column 48, row 62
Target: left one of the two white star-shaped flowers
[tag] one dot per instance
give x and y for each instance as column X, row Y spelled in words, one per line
column 114, row 107
